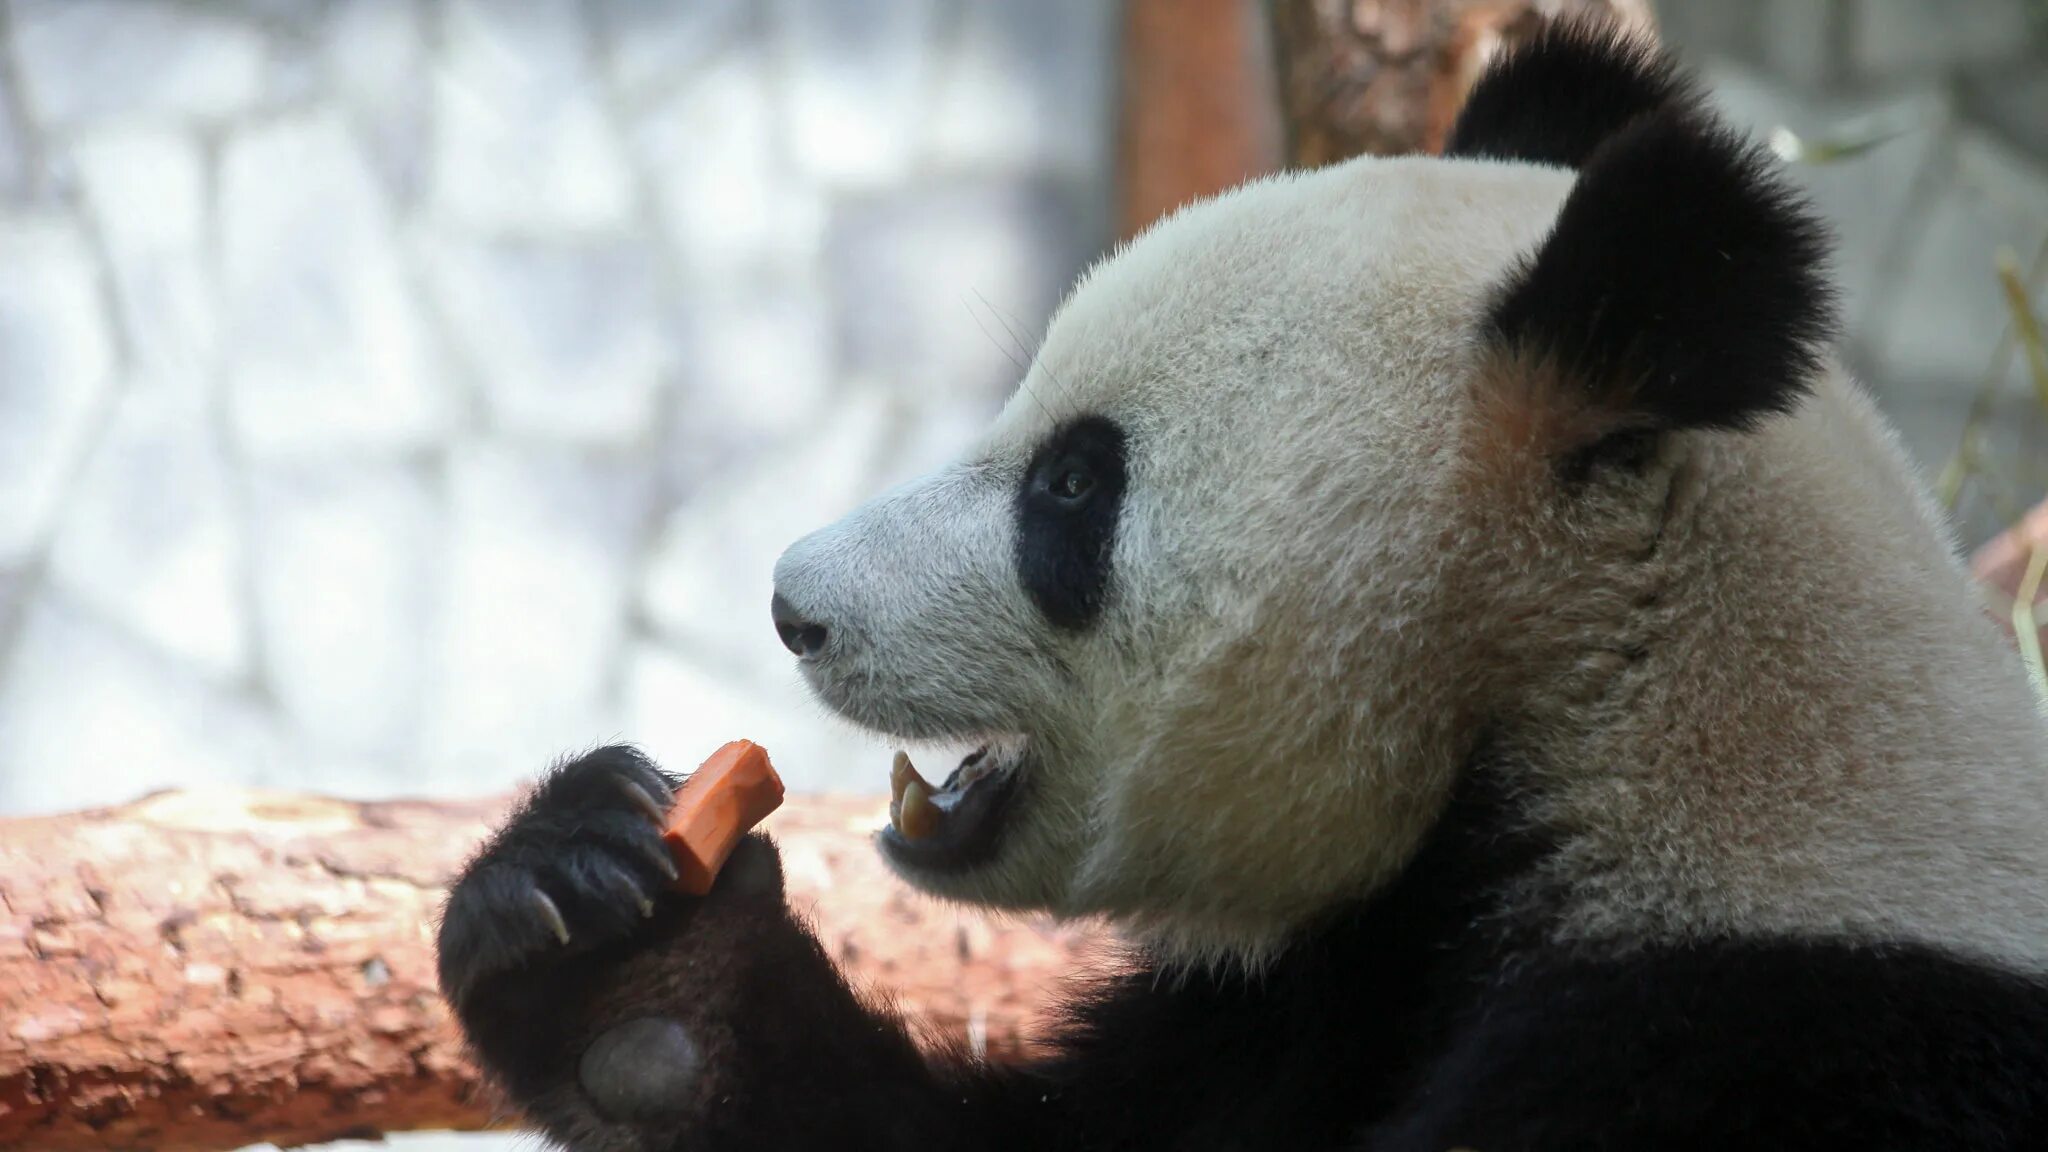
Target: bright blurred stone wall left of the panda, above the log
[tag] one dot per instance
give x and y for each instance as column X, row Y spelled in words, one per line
column 396, row 395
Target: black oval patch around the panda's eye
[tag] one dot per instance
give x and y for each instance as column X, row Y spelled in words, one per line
column 1068, row 509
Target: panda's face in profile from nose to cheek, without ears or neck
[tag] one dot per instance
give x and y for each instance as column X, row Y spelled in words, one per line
column 1183, row 606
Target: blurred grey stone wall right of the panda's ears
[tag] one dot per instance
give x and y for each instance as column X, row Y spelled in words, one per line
column 1945, row 112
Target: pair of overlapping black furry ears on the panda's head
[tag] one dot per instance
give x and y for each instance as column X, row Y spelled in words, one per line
column 1684, row 284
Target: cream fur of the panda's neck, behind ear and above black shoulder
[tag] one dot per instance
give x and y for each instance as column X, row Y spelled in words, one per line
column 1828, row 735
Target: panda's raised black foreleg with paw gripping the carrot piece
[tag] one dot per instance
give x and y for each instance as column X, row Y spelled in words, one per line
column 624, row 1016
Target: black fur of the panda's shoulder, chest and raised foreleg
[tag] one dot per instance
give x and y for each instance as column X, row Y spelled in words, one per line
column 1422, row 1022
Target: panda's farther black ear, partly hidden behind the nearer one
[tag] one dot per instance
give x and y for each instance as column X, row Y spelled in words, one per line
column 1564, row 93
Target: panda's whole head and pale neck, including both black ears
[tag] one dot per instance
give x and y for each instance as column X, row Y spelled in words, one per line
column 1525, row 466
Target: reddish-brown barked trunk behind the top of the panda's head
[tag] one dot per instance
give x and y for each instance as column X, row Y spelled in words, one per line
column 1388, row 77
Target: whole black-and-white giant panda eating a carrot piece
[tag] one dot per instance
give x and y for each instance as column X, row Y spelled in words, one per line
column 1461, row 624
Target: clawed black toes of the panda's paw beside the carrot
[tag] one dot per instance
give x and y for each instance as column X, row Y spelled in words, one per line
column 583, row 864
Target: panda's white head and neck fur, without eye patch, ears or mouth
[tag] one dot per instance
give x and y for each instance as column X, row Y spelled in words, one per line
column 1332, row 571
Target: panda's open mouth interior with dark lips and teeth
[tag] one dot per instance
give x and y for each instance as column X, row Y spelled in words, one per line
column 957, row 823
